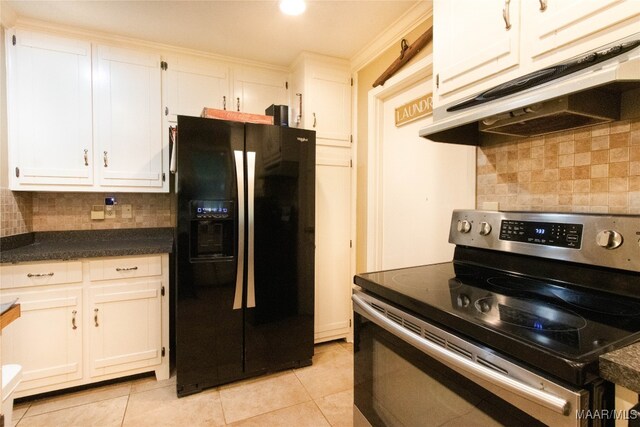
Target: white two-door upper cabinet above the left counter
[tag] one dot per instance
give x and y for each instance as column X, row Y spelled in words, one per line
column 83, row 117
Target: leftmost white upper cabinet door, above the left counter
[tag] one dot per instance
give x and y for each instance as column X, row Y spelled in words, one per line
column 49, row 111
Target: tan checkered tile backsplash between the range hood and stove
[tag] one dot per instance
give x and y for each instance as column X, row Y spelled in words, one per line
column 594, row 169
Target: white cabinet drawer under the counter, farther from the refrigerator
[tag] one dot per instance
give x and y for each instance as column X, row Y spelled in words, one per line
column 40, row 273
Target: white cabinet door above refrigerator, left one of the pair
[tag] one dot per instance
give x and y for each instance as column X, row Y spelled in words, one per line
column 194, row 83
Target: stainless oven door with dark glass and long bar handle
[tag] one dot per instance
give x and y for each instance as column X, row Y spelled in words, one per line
column 409, row 372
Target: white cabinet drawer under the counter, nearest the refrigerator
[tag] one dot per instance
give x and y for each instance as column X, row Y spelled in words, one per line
column 125, row 267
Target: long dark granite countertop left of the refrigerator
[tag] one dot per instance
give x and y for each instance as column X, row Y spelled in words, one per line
column 56, row 245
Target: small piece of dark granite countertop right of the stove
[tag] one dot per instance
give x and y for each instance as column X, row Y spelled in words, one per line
column 622, row 367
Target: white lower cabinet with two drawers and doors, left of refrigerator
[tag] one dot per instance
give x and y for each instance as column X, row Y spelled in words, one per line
column 110, row 321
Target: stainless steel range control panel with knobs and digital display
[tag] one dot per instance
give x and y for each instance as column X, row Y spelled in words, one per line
column 606, row 240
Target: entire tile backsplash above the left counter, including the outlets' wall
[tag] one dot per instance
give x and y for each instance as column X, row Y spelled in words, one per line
column 58, row 211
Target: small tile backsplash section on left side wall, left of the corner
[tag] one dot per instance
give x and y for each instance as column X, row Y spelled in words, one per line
column 16, row 215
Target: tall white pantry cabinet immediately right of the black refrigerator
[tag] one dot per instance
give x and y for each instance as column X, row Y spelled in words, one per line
column 321, row 101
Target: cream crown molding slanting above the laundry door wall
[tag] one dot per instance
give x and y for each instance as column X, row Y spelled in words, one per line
column 407, row 22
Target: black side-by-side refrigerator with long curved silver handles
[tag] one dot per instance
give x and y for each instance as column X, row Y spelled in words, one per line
column 244, row 262
